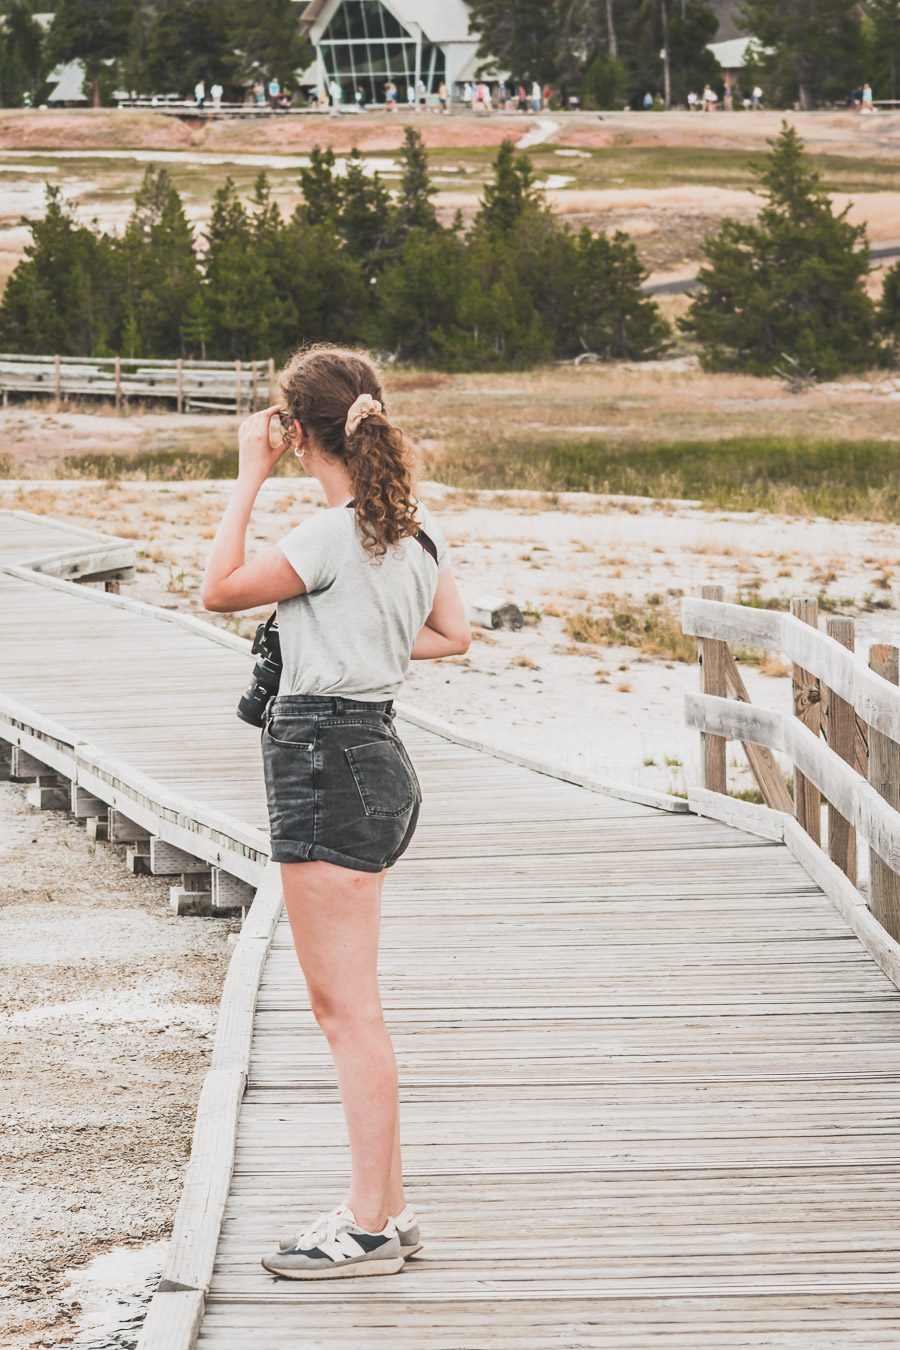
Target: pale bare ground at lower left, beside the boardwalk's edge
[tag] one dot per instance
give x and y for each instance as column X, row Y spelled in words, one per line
column 107, row 1013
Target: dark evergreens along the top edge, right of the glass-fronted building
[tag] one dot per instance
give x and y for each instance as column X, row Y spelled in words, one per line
column 611, row 53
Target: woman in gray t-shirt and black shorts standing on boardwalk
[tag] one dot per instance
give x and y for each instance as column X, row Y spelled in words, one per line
column 362, row 588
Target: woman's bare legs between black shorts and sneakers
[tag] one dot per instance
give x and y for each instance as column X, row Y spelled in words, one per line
column 335, row 919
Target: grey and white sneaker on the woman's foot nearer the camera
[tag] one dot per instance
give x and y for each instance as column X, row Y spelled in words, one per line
column 335, row 1247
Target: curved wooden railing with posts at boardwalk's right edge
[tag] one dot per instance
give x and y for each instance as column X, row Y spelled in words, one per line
column 843, row 740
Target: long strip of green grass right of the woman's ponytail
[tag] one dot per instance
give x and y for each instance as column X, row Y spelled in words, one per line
column 789, row 476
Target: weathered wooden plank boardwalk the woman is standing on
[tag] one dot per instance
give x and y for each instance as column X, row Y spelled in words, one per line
column 651, row 1086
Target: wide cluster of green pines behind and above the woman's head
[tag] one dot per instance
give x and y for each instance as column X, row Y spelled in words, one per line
column 353, row 264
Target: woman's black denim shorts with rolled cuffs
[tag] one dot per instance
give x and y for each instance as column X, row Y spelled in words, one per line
column 339, row 784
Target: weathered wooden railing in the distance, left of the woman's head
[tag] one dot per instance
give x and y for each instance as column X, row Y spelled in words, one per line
column 192, row 385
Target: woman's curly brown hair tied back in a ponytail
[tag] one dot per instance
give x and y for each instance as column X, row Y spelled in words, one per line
column 319, row 387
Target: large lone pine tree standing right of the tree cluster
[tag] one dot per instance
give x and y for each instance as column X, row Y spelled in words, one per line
column 790, row 286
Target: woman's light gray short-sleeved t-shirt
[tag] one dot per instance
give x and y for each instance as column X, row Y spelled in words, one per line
column 354, row 628
